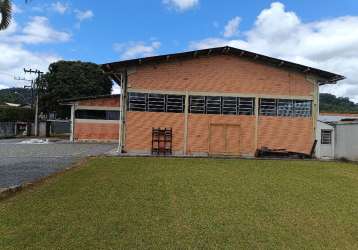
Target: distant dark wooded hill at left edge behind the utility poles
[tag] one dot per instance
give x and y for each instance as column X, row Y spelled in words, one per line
column 15, row 95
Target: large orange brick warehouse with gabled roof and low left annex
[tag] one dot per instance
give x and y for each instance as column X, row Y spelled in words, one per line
column 220, row 101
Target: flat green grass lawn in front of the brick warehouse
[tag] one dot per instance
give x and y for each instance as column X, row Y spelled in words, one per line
column 148, row 203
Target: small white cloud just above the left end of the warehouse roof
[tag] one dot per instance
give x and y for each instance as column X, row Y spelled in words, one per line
column 133, row 50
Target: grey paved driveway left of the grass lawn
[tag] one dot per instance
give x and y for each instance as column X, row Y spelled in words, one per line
column 23, row 161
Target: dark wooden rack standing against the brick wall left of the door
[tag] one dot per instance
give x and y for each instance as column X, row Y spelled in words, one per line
column 162, row 141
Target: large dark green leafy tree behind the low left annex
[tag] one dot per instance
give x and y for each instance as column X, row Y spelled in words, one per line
column 71, row 79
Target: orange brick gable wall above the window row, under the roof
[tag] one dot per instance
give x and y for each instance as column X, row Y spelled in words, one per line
column 220, row 74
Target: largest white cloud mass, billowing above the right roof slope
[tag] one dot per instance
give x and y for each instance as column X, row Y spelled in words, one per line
column 330, row 44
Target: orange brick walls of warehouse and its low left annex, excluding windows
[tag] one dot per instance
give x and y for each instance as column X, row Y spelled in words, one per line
column 196, row 134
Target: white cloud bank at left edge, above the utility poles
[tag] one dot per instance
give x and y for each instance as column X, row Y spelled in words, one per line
column 14, row 55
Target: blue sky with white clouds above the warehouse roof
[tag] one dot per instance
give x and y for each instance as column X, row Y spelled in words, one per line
column 322, row 34
